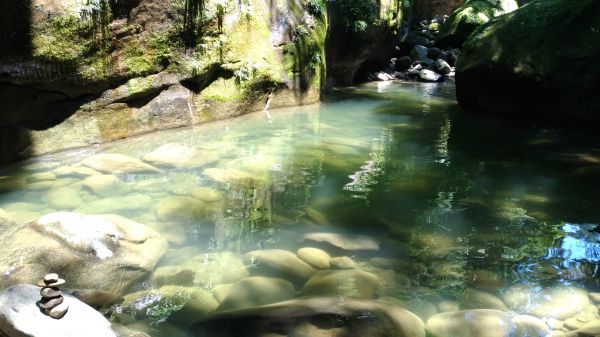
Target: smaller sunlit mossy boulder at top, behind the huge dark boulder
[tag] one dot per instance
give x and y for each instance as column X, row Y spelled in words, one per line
column 470, row 15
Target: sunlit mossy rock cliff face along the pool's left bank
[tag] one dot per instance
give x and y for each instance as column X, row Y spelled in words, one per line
column 76, row 73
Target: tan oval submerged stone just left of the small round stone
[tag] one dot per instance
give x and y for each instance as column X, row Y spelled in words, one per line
column 278, row 263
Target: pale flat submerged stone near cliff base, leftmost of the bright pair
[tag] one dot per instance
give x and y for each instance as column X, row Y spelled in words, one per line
column 114, row 163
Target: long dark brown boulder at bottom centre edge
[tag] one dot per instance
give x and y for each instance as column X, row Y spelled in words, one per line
column 314, row 316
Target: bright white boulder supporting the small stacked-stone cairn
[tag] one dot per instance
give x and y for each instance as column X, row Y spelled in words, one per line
column 21, row 317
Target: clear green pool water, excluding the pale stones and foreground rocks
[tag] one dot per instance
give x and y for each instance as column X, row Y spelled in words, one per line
column 459, row 198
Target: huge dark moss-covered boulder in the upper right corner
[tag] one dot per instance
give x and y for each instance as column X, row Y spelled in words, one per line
column 540, row 60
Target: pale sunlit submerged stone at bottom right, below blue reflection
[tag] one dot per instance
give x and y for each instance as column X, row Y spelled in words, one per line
column 559, row 303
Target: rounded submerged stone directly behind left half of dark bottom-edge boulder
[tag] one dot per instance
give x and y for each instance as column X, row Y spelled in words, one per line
column 257, row 291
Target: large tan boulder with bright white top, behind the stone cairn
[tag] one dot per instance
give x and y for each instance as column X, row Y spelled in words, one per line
column 105, row 252
